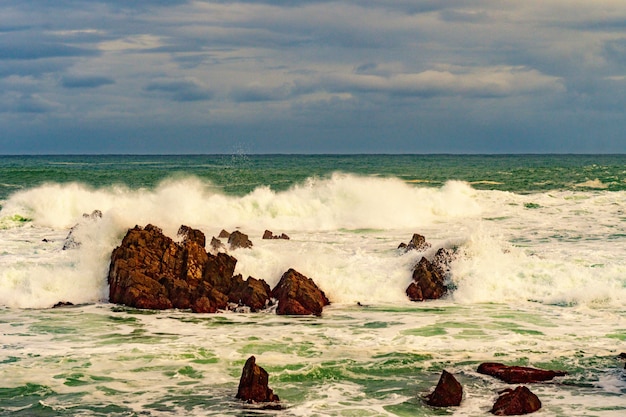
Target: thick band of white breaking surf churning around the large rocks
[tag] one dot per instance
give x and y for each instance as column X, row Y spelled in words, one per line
column 560, row 247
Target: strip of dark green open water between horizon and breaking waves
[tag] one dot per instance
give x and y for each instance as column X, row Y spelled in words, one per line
column 240, row 174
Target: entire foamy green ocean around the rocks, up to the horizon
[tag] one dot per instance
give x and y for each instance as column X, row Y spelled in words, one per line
column 539, row 280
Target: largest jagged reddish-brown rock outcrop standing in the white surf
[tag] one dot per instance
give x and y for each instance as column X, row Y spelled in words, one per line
column 150, row 270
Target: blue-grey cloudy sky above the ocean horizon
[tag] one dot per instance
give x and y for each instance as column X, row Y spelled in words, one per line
column 290, row 76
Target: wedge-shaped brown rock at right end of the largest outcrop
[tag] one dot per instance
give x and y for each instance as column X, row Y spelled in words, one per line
column 299, row 295
